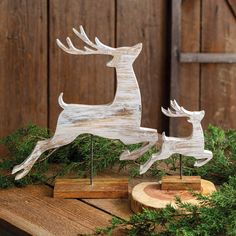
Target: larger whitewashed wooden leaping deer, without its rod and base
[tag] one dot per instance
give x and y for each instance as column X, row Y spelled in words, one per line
column 119, row 120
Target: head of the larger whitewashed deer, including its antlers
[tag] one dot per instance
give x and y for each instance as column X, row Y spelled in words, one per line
column 120, row 55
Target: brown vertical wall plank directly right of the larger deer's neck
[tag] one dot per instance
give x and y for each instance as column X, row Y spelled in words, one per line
column 145, row 21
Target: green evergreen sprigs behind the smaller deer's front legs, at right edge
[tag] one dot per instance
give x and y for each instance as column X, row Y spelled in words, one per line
column 223, row 164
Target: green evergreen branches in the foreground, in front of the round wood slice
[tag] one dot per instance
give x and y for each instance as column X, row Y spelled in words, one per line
column 214, row 216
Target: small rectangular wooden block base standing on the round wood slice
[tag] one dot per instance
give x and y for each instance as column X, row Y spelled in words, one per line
column 184, row 183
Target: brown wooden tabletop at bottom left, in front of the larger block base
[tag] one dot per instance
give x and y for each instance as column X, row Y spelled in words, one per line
column 33, row 210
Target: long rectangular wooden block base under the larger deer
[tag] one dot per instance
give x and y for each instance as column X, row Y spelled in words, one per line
column 81, row 188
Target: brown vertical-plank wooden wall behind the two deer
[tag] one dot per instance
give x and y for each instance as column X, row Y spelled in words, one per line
column 33, row 70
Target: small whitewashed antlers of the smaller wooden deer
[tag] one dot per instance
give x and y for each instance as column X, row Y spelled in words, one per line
column 177, row 110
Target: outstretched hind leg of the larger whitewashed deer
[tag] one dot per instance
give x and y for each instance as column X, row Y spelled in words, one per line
column 40, row 148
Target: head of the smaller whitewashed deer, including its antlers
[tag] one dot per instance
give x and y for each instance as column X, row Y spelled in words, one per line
column 178, row 111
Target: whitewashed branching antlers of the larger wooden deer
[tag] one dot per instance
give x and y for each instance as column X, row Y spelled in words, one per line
column 98, row 45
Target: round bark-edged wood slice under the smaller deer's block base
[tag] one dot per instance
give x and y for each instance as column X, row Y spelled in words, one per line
column 149, row 195
